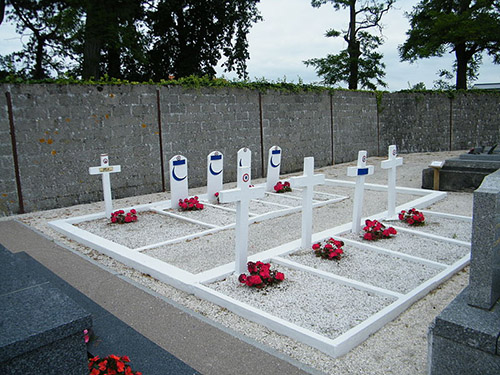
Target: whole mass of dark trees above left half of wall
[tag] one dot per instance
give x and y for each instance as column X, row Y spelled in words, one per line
column 130, row 39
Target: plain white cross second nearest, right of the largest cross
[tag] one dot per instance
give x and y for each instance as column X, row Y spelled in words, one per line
column 308, row 180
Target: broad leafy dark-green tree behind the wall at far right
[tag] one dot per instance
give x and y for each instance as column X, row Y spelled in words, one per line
column 466, row 27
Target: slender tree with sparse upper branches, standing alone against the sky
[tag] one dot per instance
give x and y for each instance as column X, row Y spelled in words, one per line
column 358, row 64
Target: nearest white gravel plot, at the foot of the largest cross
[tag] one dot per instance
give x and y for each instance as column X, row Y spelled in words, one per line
column 309, row 301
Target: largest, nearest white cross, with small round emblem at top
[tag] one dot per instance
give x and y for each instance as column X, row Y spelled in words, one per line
column 242, row 196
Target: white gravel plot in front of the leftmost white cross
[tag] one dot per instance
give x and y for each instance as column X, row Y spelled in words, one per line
column 150, row 228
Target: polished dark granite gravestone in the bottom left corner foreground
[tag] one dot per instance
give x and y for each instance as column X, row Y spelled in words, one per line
column 41, row 329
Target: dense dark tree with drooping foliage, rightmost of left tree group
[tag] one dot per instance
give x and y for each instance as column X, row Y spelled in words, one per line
column 190, row 36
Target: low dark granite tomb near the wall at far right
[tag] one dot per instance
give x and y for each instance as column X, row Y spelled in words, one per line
column 465, row 172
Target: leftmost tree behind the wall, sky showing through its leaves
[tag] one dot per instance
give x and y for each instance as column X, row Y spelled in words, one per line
column 50, row 25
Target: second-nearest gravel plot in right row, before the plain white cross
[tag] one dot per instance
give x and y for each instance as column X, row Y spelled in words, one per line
column 382, row 270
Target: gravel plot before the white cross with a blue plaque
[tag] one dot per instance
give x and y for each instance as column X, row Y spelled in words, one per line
column 406, row 243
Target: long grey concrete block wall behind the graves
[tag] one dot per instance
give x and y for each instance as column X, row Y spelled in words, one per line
column 61, row 130
